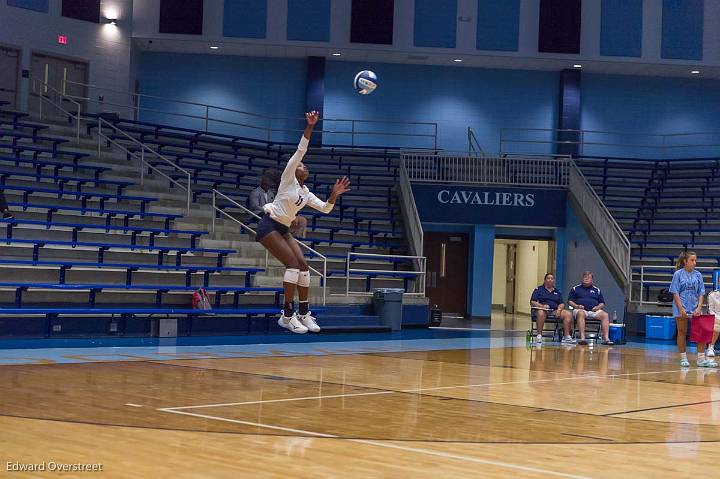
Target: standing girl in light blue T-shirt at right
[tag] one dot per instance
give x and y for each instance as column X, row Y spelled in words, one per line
column 688, row 290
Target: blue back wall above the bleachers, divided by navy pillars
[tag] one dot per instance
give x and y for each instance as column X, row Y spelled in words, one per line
column 455, row 98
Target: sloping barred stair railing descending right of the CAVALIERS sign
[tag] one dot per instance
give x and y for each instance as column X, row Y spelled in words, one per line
column 609, row 232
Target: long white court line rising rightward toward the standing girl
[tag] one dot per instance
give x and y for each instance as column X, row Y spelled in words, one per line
column 419, row 390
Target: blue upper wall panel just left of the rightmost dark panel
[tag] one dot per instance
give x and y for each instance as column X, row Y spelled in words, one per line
column 498, row 25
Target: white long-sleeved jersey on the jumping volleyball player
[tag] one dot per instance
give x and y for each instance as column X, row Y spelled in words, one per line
column 291, row 197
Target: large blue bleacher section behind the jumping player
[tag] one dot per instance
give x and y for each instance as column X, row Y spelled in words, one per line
column 122, row 228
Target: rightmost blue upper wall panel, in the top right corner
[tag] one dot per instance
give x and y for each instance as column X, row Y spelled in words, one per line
column 682, row 29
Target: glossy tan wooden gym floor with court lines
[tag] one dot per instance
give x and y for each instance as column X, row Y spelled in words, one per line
column 497, row 411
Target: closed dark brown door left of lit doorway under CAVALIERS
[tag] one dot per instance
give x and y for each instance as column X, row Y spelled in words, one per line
column 447, row 262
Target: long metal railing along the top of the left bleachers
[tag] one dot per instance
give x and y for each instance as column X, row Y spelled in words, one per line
column 203, row 116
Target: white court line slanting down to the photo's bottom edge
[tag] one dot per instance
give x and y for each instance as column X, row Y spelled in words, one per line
column 418, row 450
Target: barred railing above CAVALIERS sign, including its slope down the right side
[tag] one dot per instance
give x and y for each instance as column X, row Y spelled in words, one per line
column 526, row 170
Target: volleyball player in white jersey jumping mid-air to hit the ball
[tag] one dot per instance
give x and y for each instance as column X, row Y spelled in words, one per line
column 273, row 232
